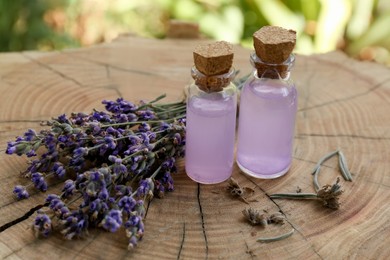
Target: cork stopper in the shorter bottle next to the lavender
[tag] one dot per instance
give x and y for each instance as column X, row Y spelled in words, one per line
column 213, row 62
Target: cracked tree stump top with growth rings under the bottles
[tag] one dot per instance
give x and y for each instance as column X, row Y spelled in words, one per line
column 343, row 104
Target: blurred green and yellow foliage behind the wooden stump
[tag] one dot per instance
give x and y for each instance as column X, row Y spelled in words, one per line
column 361, row 28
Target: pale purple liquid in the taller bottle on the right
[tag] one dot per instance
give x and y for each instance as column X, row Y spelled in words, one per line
column 266, row 127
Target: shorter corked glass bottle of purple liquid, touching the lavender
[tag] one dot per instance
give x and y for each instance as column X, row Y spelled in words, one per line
column 211, row 114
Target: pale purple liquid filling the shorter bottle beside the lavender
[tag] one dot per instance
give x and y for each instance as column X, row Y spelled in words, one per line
column 211, row 120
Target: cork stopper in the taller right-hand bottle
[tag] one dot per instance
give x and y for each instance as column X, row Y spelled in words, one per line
column 273, row 46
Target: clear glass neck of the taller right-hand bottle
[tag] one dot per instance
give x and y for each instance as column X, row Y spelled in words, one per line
column 272, row 71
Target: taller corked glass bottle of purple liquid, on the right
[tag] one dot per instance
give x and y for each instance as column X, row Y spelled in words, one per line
column 268, row 106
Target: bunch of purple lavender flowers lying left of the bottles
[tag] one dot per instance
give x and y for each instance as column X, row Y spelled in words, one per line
column 111, row 162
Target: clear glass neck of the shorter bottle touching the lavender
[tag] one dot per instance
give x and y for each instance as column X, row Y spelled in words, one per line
column 213, row 83
